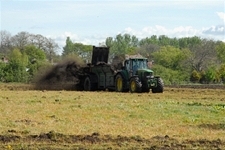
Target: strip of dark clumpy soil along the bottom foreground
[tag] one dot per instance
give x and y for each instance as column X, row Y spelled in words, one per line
column 58, row 141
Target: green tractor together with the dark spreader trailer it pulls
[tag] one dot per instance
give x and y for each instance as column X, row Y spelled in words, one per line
column 134, row 76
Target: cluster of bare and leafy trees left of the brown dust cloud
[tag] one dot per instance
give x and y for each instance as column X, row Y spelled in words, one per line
column 23, row 54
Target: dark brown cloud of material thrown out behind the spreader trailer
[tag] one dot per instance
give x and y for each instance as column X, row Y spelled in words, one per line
column 62, row 76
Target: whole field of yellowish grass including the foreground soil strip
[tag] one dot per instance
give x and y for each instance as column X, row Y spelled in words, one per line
column 179, row 118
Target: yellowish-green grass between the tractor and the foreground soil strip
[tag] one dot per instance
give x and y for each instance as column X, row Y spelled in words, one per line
column 183, row 114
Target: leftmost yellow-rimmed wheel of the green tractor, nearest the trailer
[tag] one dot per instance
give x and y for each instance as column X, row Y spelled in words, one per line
column 120, row 84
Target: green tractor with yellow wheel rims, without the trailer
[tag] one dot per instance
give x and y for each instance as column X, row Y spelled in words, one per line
column 136, row 77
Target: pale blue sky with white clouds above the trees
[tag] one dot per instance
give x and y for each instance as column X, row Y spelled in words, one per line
column 92, row 21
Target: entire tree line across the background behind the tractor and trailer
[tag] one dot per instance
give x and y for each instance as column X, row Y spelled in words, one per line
column 176, row 60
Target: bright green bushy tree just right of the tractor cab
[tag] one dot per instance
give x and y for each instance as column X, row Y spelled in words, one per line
column 171, row 64
